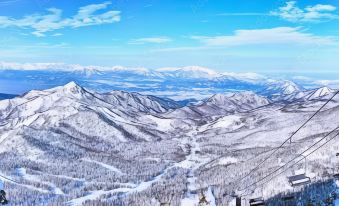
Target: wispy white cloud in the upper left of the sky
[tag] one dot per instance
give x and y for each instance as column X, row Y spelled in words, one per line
column 53, row 20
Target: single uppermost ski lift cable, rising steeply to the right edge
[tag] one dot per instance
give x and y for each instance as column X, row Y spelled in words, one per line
column 288, row 139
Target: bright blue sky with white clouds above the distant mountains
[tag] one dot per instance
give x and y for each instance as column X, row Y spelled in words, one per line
column 264, row 36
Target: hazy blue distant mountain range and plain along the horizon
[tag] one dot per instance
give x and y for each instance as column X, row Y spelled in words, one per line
column 194, row 83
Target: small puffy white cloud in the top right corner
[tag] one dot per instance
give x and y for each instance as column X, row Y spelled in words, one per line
column 320, row 12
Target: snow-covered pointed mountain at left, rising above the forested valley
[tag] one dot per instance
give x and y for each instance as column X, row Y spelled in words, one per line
column 115, row 113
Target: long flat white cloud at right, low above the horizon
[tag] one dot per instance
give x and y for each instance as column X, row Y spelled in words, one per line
column 279, row 35
